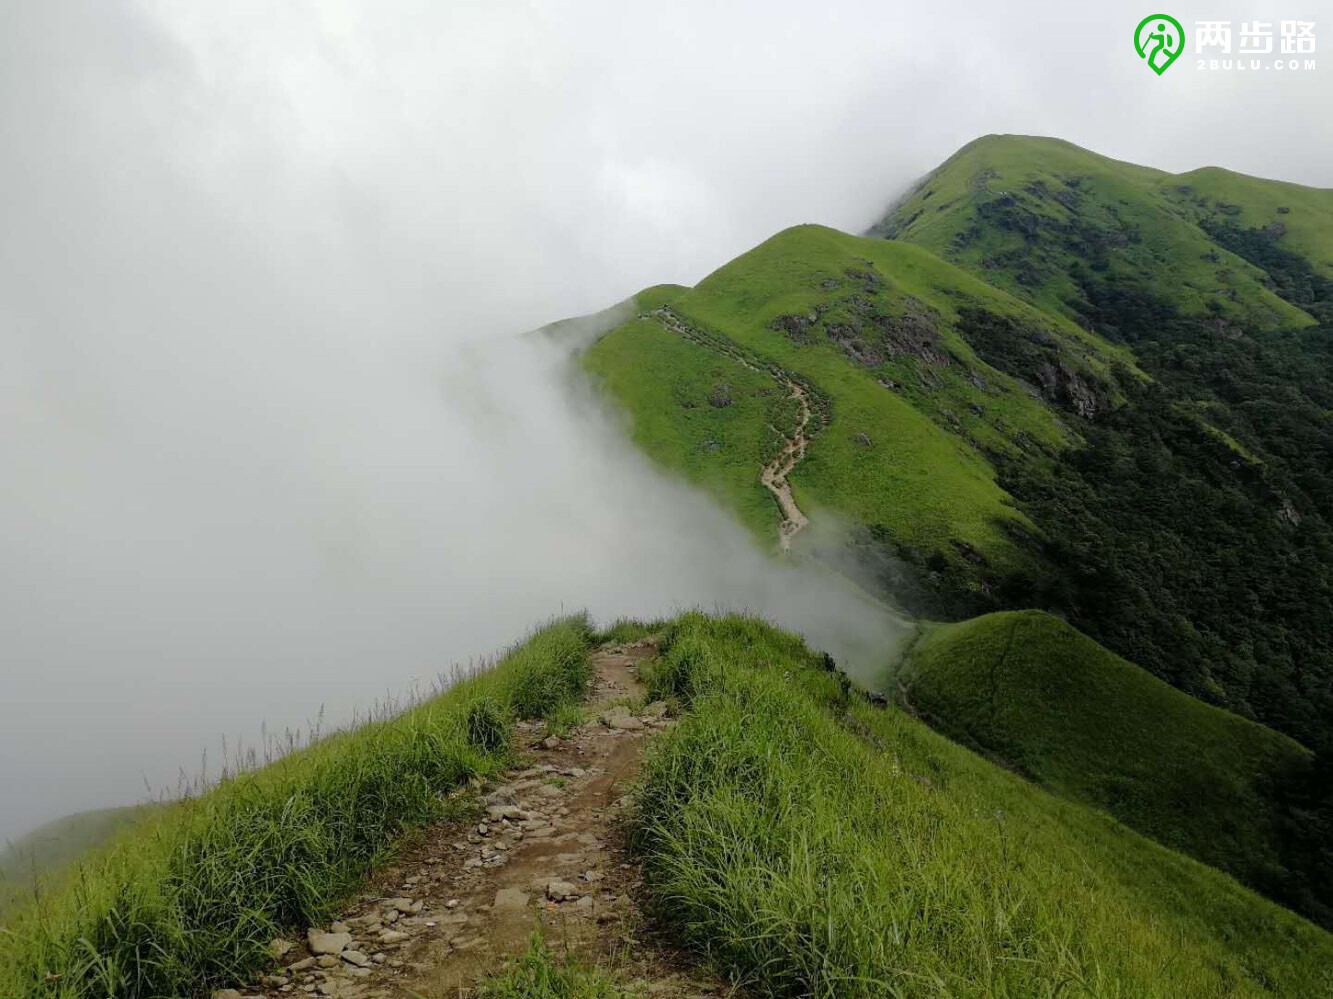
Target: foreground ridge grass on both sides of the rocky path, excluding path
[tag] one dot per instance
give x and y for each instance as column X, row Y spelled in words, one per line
column 792, row 836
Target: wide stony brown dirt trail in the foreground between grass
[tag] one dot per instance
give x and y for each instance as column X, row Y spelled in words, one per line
column 547, row 849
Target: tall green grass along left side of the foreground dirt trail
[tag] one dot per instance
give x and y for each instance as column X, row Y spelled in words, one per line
column 191, row 900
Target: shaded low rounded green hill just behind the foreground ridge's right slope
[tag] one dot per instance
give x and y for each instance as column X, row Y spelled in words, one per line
column 1064, row 712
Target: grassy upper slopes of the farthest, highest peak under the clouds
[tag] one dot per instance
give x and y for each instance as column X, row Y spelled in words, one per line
column 1027, row 213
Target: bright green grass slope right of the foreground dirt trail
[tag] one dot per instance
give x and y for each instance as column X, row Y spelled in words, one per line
column 814, row 845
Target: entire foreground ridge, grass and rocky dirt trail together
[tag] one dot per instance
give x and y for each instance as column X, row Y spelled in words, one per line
column 790, row 833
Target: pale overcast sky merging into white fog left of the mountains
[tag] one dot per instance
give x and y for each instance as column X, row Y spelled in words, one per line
column 266, row 438
